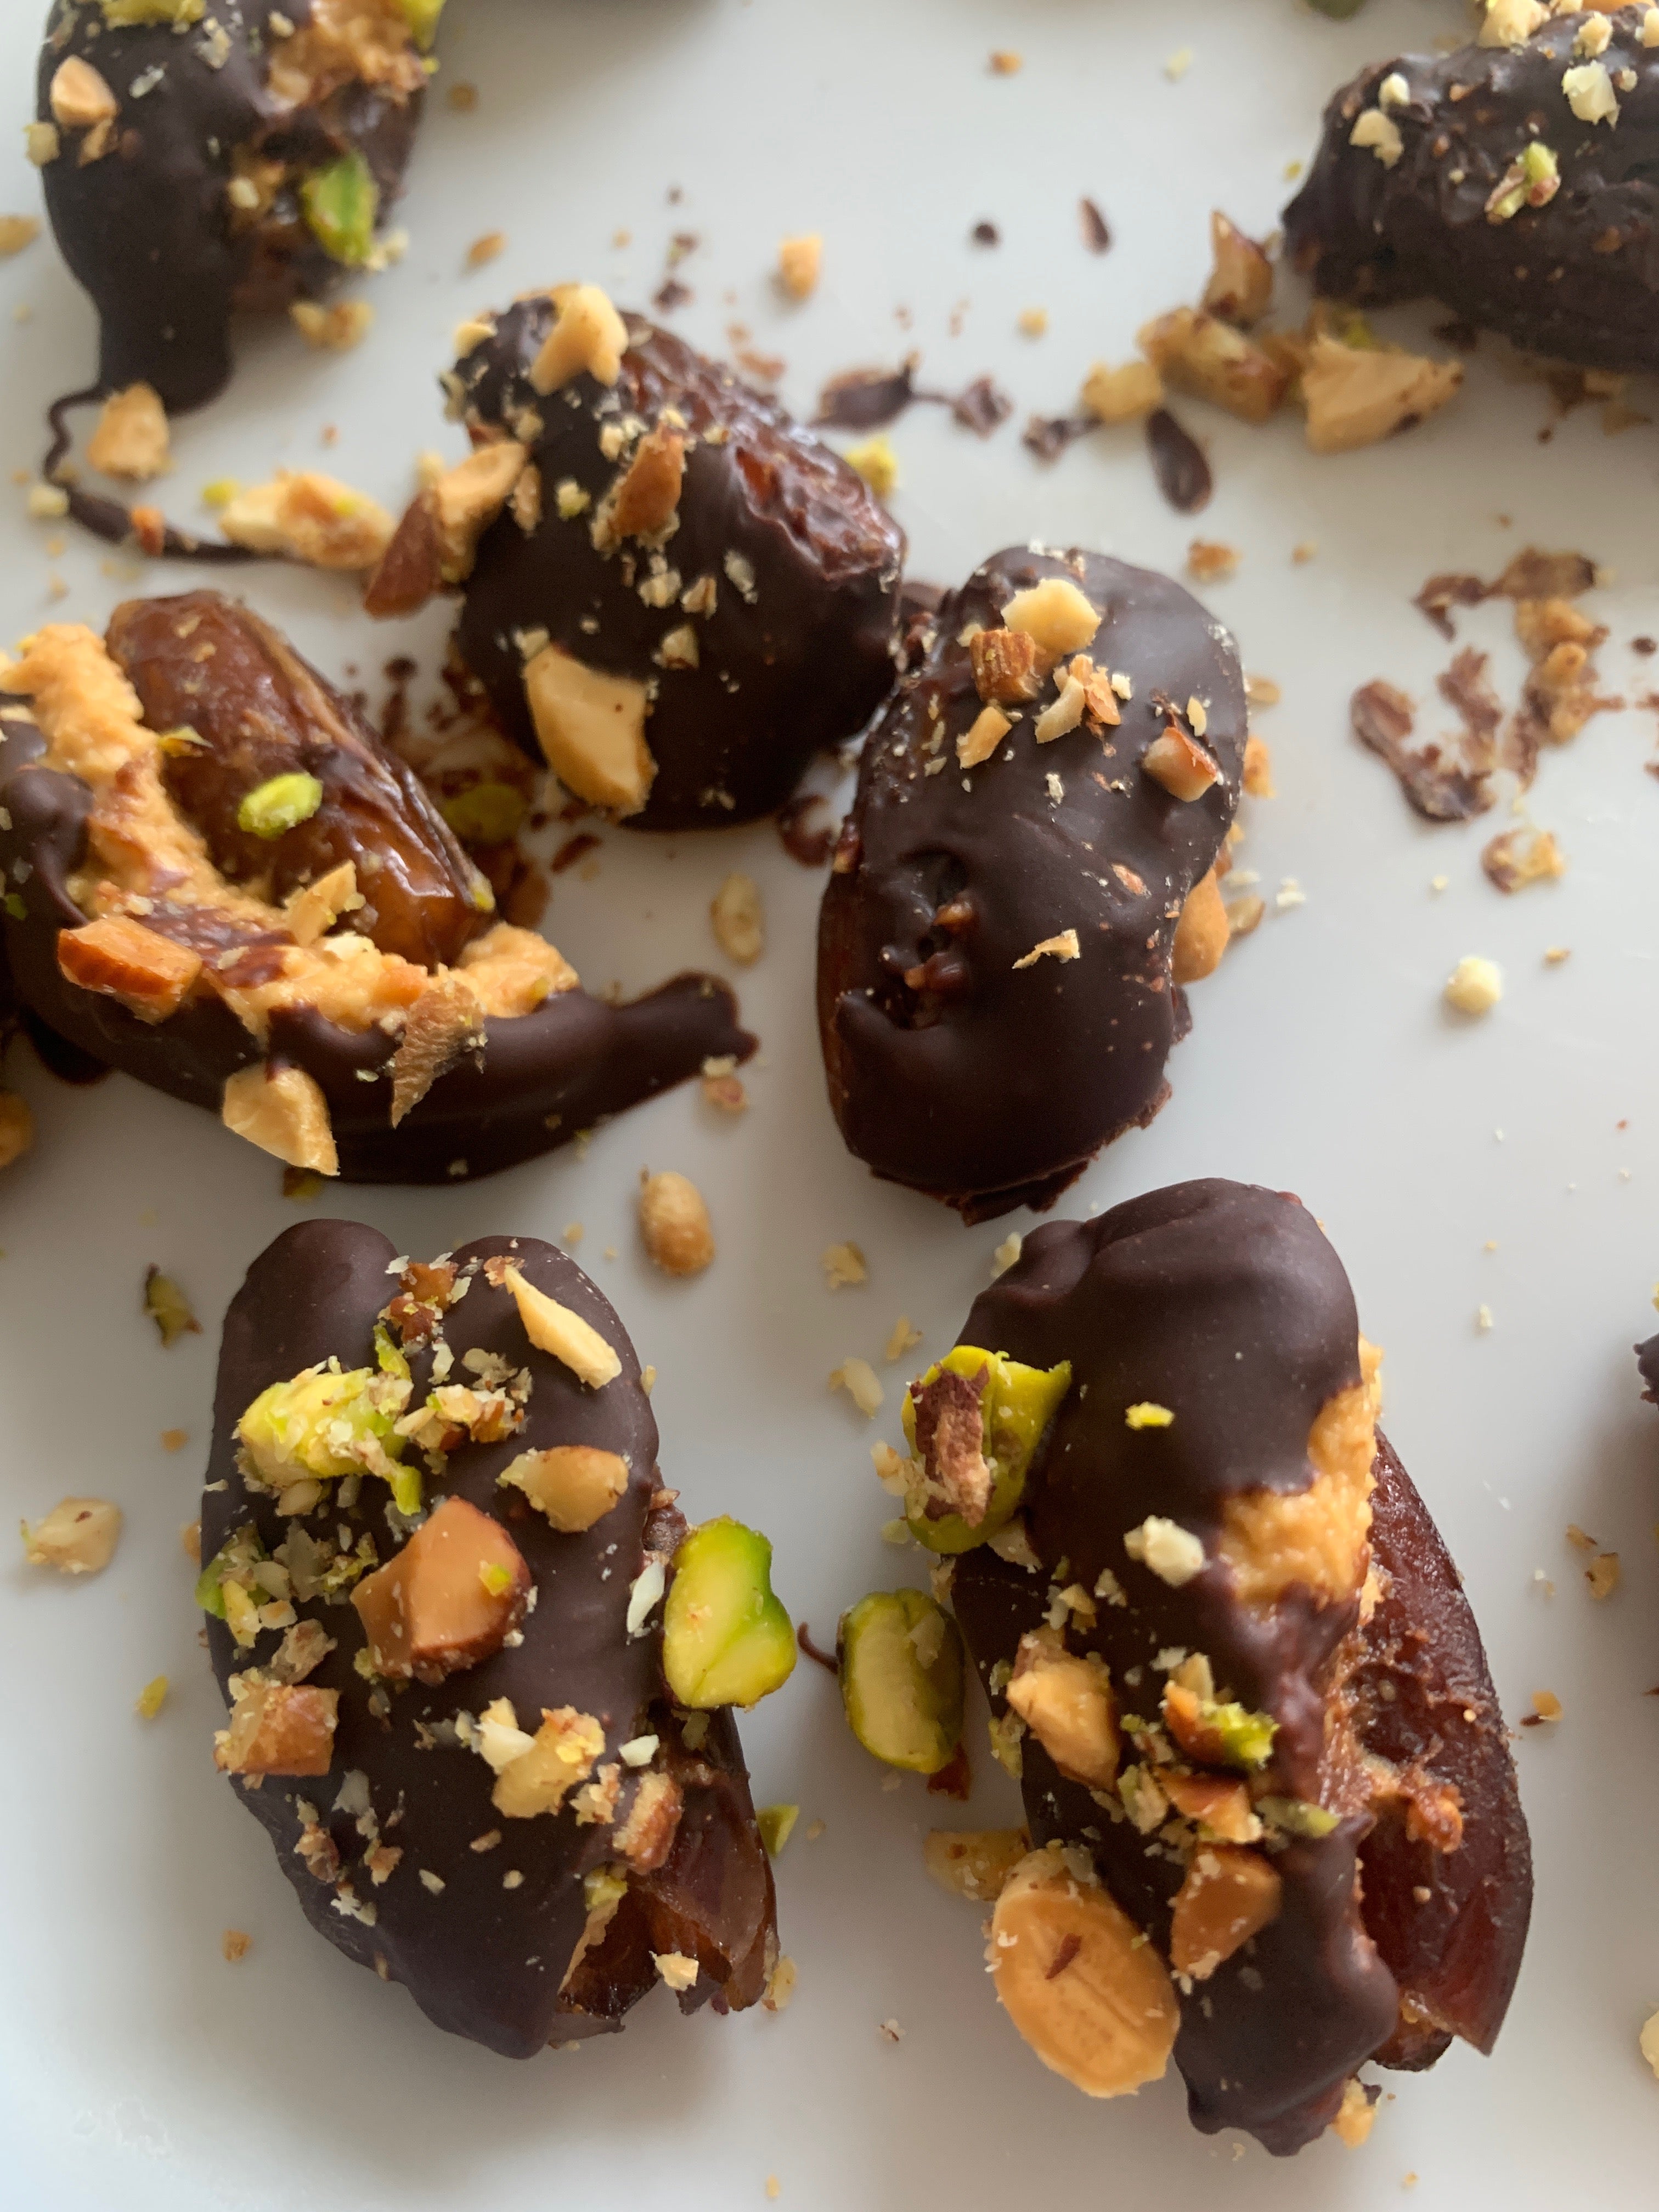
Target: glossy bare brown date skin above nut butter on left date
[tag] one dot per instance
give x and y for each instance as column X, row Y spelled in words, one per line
column 209, row 665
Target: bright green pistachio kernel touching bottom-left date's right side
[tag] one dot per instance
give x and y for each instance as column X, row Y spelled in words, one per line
column 727, row 1640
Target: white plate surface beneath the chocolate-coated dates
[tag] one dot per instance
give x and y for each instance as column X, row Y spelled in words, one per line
column 136, row 2067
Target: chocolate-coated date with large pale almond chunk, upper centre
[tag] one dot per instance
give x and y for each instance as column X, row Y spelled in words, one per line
column 671, row 592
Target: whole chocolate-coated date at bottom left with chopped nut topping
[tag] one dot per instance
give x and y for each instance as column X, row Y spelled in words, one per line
column 437, row 1550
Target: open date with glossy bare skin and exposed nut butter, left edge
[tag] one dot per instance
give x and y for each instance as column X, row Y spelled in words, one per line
column 229, row 888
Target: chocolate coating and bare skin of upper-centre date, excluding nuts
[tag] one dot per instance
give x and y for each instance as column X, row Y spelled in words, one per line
column 778, row 680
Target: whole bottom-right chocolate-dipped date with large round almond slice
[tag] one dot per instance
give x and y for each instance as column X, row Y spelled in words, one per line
column 1271, row 1799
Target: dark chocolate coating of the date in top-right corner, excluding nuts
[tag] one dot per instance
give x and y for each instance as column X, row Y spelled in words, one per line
column 1576, row 278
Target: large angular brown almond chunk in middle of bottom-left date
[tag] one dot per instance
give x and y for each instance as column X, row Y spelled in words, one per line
column 448, row 1600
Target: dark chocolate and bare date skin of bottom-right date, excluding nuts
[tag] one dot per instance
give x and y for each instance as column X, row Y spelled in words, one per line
column 1227, row 1304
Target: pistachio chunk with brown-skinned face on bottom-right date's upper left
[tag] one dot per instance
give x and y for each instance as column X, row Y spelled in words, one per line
column 974, row 1423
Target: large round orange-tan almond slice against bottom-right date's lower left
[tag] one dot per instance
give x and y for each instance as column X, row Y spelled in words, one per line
column 1081, row 1983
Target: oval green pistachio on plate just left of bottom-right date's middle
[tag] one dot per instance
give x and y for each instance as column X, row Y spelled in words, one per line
column 901, row 1680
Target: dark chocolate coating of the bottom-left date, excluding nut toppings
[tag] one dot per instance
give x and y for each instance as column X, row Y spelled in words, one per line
column 479, row 1959
